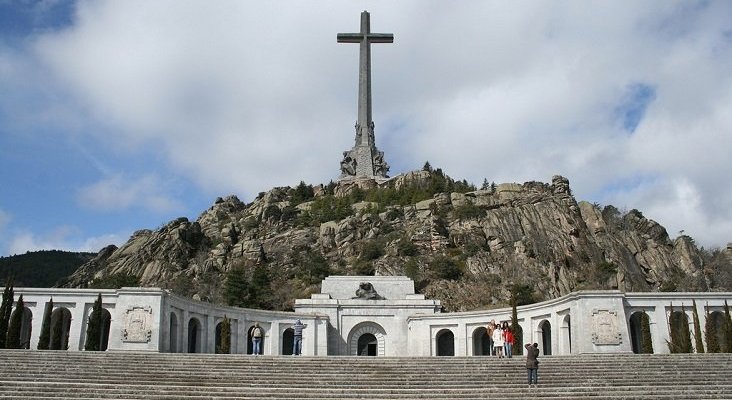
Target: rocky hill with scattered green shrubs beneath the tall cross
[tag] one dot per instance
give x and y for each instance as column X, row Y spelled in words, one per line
column 470, row 248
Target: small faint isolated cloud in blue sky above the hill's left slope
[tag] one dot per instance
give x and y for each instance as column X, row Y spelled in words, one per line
column 118, row 193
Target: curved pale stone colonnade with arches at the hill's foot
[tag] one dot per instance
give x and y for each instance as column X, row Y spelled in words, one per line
column 151, row 319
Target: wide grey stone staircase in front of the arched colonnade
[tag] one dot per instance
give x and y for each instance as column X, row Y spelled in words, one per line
column 27, row 374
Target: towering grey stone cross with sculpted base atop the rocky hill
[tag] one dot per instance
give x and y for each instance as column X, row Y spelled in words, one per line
column 364, row 159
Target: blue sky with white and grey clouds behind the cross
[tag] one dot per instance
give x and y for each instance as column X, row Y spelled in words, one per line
column 117, row 116
